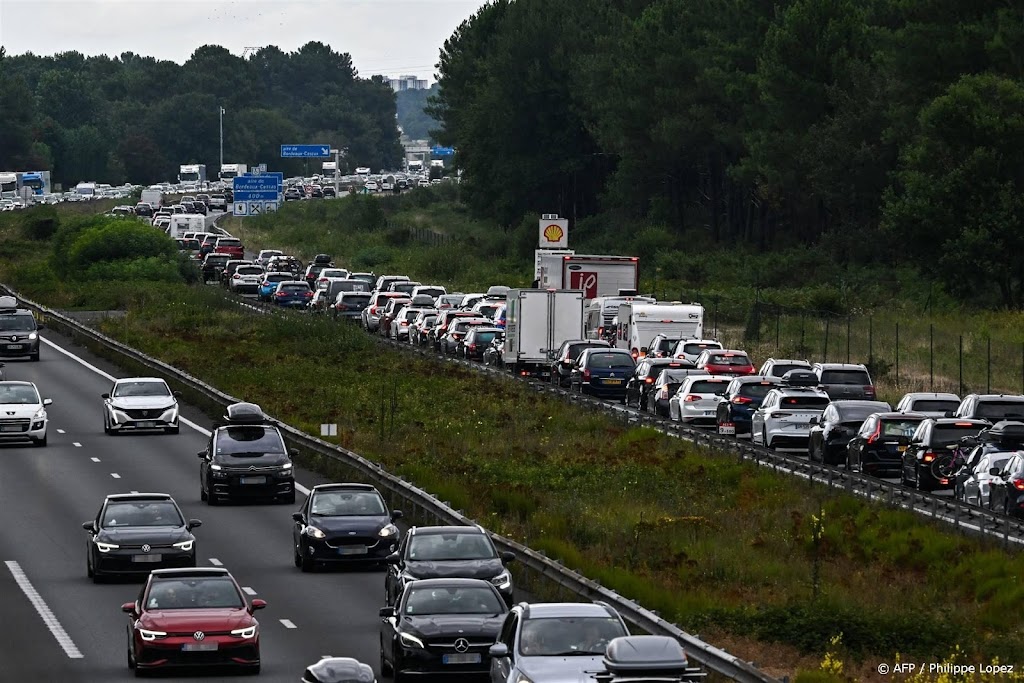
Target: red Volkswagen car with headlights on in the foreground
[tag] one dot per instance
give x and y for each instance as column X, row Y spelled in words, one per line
column 193, row 618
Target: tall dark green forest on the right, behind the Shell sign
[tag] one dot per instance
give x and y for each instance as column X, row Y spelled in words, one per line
column 873, row 130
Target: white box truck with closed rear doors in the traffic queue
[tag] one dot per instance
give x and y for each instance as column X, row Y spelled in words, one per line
column 537, row 322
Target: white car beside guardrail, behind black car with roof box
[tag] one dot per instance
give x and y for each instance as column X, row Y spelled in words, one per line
column 141, row 403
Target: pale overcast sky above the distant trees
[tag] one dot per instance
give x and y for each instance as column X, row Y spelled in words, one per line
column 391, row 37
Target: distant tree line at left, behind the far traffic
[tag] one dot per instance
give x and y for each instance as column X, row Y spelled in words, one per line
column 133, row 118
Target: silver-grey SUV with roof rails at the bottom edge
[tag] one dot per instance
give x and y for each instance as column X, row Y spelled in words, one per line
column 554, row 642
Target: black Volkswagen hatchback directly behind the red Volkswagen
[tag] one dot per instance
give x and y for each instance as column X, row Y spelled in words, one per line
column 135, row 534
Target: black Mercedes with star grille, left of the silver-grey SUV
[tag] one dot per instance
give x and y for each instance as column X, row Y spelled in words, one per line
column 441, row 626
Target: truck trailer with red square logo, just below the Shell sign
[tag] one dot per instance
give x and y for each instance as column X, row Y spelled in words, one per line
column 595, row 276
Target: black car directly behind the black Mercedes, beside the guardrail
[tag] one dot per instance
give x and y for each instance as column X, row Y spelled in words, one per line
column 448, row 552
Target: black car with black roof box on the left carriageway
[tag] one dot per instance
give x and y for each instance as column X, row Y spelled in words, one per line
column 246, row 459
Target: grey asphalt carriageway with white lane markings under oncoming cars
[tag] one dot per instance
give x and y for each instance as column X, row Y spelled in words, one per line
column 47, row 494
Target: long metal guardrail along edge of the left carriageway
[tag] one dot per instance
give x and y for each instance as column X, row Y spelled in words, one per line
column 425, row 505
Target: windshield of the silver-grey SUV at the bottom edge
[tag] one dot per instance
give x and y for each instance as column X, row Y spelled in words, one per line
column 568, row 636
